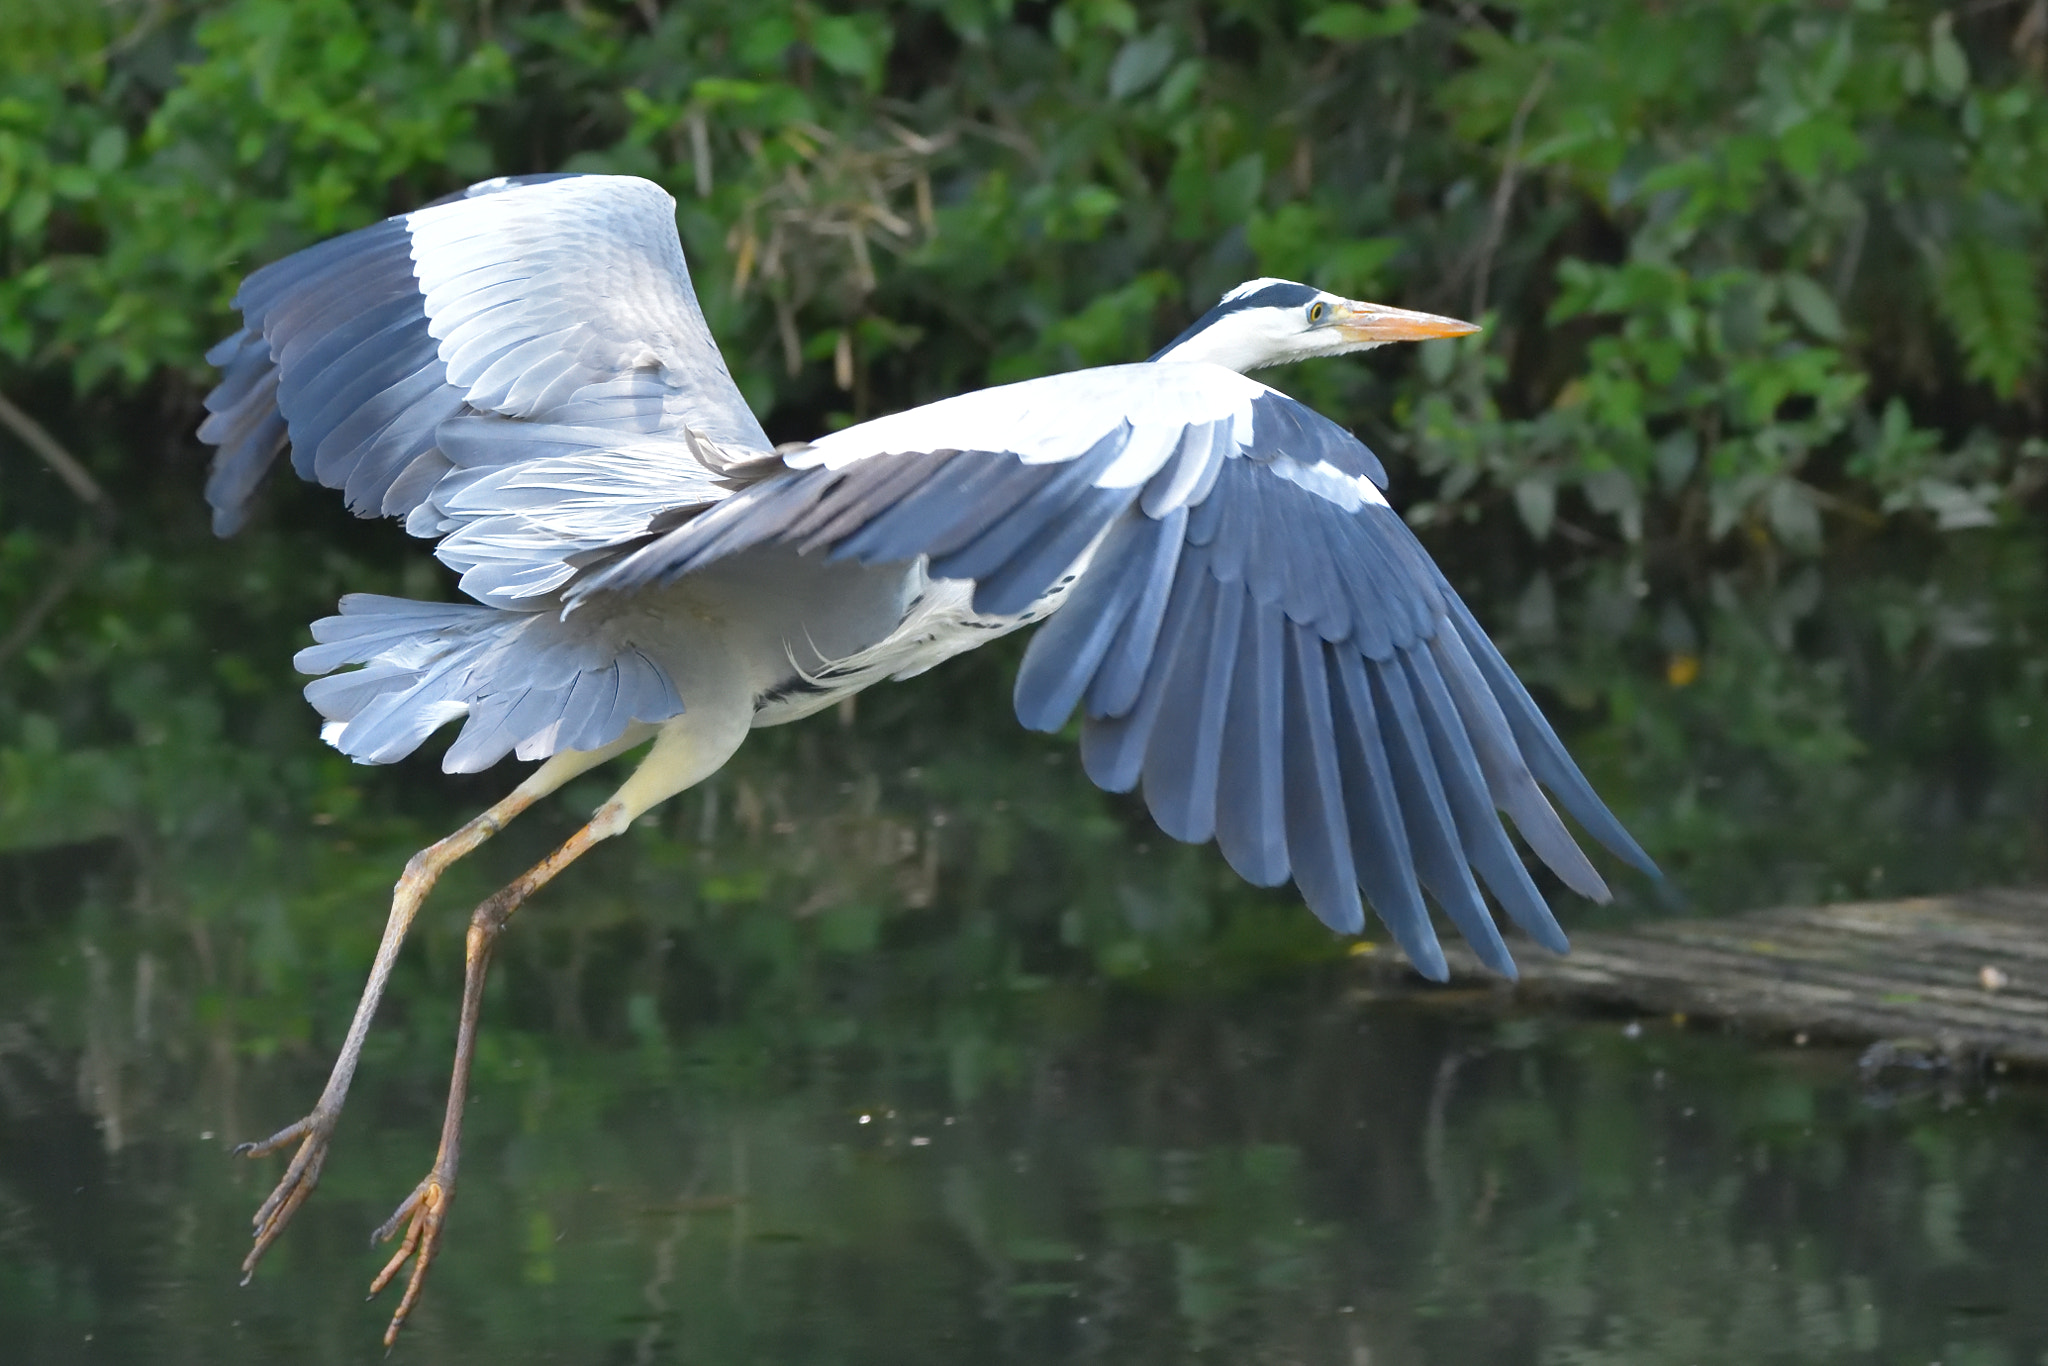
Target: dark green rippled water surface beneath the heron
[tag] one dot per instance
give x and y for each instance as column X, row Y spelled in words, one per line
column 902, row 1043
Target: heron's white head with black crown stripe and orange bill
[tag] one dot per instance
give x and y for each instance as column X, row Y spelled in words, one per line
column 1273, row 323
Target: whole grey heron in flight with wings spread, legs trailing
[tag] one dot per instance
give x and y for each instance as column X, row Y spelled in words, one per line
column 1250, row 634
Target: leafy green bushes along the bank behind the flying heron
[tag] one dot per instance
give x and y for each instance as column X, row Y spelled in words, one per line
column 1713, row 245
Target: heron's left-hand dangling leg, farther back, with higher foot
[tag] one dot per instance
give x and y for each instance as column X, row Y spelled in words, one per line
column 314, row 1132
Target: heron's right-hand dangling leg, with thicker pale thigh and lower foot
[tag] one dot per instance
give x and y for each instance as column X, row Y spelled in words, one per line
column 679, row 759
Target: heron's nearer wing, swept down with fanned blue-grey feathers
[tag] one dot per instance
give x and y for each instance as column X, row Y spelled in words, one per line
column 1254, row 636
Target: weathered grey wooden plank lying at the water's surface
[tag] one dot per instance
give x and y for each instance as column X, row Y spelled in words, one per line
column 1963, row 974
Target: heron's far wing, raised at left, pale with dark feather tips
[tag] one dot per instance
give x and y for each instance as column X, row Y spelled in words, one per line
column 402, row 359
